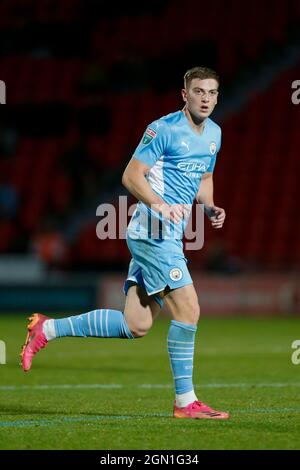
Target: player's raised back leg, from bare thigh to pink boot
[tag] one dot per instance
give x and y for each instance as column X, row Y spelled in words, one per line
column 140, row 309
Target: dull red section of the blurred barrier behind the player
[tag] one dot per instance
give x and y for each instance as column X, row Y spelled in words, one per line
column 220, row 295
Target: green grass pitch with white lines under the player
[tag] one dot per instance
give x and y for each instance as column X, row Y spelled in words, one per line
column 118, row 394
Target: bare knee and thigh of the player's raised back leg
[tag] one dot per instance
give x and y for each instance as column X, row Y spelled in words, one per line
column 140, row 310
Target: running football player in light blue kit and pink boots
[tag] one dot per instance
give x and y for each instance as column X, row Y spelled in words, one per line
column 172, row 165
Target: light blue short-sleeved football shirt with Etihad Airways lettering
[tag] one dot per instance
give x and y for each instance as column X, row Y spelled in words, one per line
column 177, row 156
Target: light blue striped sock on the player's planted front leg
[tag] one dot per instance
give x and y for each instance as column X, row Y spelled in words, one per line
column 181, row 343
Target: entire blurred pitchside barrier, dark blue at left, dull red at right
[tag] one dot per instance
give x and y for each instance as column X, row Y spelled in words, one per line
column 218, row 295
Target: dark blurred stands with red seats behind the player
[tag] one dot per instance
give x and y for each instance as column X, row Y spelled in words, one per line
column 84, row 78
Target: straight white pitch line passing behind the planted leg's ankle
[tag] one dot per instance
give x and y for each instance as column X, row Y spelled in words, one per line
column 145, row 386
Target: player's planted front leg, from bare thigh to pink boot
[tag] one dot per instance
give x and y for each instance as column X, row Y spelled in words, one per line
column 184, row 307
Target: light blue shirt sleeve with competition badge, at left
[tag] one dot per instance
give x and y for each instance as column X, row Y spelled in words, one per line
column 154, row 143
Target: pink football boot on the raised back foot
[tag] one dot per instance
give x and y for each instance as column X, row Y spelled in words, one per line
column 35, row 339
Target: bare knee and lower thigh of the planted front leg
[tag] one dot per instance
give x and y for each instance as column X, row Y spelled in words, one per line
column 183, row 304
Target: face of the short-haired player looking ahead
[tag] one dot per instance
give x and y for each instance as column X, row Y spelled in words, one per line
column 201, row 97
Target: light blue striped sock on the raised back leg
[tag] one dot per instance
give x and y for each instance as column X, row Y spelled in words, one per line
column 101, row 323
